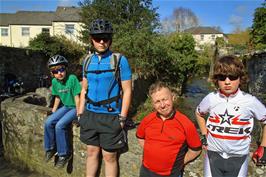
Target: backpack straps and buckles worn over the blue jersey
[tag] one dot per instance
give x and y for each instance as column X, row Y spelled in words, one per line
column 114, row 63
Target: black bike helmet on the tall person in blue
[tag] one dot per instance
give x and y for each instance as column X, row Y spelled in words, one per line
column 101, row 26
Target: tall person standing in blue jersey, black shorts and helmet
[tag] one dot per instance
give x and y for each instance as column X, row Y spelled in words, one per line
column 105, row 100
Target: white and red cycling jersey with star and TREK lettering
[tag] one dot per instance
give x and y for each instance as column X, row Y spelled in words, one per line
column 230, row 121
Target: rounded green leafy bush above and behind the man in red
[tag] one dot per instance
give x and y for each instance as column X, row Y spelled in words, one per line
column 171, row 58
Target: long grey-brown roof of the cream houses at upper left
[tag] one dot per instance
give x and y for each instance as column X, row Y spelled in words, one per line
column 62, row 14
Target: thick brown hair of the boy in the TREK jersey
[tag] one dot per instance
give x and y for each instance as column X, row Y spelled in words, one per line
column 229, row 65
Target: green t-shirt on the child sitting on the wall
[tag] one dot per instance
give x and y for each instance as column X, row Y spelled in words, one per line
column 67, row 90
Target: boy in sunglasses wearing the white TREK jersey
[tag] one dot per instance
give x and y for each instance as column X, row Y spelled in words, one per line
column 227, row 130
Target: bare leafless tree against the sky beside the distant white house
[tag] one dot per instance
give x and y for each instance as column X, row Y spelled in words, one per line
column 181, row 19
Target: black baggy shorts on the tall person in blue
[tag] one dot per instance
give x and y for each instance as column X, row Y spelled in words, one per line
column 103, row 130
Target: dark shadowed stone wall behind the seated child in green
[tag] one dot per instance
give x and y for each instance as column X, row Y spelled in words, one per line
column 24, row 63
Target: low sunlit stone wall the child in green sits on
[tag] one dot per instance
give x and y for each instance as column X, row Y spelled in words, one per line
column 23, row 141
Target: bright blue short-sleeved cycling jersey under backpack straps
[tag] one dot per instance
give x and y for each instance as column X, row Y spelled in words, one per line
column 102, row 86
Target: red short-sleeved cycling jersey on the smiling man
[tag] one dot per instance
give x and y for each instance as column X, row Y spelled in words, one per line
column 166, row 142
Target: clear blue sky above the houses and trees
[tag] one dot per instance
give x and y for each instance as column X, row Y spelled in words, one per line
column 227, row 14
